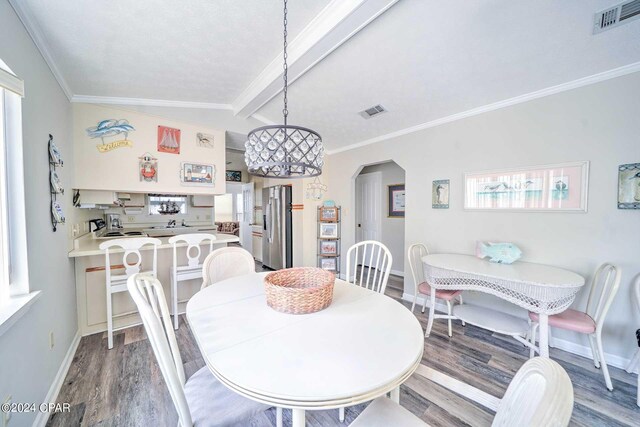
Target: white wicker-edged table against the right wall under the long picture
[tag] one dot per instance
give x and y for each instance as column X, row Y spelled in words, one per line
column 542, row 289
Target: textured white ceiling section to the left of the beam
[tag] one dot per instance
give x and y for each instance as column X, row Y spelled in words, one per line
column 192, row 50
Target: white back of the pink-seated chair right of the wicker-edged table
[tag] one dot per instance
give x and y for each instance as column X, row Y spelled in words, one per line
column 604, row 287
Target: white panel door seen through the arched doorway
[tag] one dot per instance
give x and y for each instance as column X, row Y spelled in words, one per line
column 368, row 206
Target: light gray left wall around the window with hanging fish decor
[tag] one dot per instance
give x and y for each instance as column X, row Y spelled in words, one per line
column 27, row 366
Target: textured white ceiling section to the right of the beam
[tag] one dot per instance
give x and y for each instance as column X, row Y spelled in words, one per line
column 424, row 60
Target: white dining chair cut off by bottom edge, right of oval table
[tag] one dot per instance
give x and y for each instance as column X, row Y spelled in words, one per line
column 540, row 394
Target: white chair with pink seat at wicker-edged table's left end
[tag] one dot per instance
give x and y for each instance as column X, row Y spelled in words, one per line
column 421, row 287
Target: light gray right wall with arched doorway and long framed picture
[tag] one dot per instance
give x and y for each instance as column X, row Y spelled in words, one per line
column 598, row 123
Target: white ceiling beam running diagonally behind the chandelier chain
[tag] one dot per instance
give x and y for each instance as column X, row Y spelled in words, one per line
column 334, row 25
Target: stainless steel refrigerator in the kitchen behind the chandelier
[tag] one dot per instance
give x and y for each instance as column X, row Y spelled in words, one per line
column 277, row 235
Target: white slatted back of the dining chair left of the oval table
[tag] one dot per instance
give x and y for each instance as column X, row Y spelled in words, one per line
column 148, row 295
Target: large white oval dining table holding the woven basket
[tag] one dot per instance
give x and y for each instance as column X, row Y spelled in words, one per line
column 362, row 346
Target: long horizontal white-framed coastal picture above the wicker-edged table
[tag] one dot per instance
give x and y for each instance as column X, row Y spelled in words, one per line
column 550, row 188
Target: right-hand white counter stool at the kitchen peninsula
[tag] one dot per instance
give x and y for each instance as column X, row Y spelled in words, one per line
column 192, row 269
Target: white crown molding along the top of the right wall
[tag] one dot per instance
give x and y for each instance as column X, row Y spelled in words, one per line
column 574, row 84
